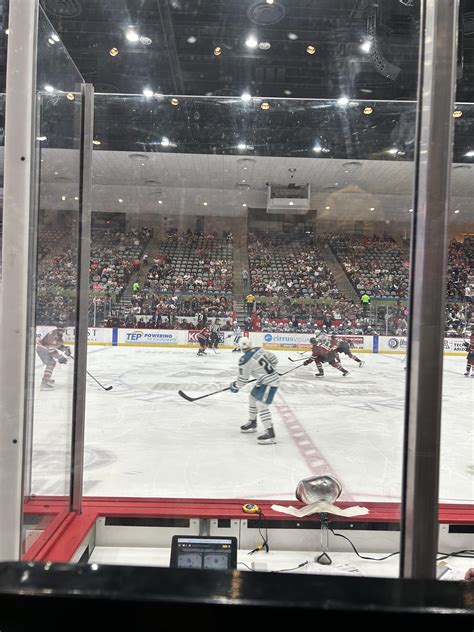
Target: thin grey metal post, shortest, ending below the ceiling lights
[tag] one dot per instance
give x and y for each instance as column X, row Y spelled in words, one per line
column 82, row 306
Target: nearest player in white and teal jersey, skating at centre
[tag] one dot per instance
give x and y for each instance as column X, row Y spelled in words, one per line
column 259, row 363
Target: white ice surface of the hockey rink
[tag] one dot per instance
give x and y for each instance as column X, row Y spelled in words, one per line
column 144, row 440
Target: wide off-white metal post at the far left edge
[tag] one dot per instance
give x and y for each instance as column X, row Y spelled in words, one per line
column 16, row 332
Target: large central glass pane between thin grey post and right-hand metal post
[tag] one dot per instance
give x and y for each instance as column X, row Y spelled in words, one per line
column 274, row 199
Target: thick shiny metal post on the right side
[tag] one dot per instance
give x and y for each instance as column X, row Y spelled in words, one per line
column 433, row 164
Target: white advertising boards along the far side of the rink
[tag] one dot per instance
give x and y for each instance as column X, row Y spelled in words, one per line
column 115, row 337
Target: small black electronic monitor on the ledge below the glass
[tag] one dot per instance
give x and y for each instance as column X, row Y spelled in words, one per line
column 196, row 551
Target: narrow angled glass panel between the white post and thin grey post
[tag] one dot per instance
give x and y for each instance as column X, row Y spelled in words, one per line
column 56, row 196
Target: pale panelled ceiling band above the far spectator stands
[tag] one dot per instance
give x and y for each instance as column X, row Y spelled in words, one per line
column 229, row 186
